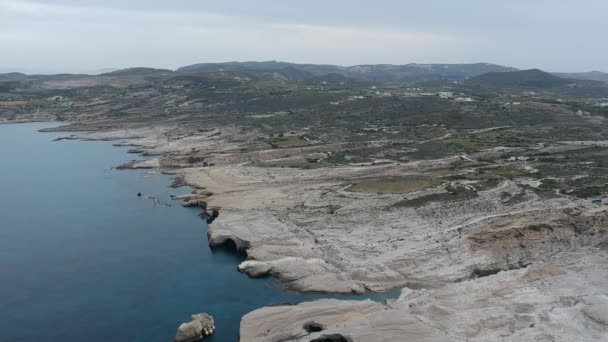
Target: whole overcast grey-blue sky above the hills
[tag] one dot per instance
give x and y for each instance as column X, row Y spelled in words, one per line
column 85, row 35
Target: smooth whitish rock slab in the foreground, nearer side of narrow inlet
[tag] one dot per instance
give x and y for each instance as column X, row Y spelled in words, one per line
column 564, row 299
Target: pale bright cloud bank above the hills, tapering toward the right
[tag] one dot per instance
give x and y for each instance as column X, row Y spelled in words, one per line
column 111, row 37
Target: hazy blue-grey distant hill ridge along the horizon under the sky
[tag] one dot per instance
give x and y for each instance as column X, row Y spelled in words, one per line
column 471, row 74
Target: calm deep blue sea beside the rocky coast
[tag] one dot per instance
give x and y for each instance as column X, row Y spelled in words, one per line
column 82, row 258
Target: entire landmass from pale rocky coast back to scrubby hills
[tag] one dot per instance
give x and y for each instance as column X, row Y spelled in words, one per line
column 484, row 198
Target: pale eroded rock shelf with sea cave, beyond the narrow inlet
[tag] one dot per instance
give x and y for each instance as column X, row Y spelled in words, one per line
column 316, row 236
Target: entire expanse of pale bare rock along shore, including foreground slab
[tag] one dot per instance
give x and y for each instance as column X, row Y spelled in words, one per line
column 506, row 264
